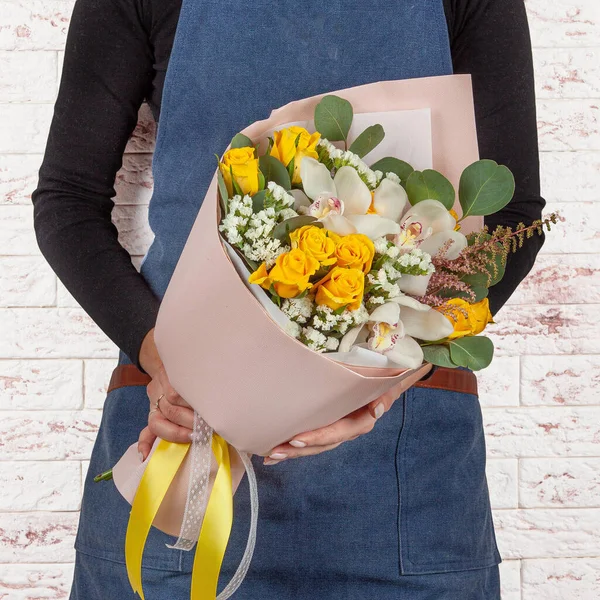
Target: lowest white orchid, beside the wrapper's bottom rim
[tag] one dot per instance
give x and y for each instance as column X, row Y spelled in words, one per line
column 392, row 328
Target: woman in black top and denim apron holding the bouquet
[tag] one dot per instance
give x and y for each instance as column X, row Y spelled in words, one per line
column 401, row 511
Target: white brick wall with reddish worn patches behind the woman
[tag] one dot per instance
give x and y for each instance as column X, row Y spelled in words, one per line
column 541, row 397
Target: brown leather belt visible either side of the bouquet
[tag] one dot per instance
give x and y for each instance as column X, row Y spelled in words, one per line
column 455, row 380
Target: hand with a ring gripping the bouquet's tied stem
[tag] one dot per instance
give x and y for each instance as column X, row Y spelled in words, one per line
column 174, row 419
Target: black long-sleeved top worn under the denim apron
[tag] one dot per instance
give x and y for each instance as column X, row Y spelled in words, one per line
column 116, row 57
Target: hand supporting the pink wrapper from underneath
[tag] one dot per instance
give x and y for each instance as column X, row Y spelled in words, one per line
column 348, row 428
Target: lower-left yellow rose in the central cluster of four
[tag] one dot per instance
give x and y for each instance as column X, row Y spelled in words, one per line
column 290, row 275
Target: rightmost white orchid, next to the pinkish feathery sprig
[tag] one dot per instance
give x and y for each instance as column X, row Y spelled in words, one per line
column 429, row 227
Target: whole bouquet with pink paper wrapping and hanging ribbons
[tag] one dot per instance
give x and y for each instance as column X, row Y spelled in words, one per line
column 322, row 271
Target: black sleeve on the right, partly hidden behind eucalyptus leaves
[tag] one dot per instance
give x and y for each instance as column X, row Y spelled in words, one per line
column 490, row 40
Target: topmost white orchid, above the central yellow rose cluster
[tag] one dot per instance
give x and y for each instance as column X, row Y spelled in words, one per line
column 345, row 205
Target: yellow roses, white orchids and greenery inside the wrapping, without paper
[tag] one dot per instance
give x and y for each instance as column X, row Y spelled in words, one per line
column 367, row 263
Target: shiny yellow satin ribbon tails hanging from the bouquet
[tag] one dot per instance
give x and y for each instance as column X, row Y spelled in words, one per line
column 216, row 526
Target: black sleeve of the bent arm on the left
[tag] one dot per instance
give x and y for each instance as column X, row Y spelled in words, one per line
column 107, row 73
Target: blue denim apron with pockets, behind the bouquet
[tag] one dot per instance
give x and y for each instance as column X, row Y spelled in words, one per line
column 402, row 512
